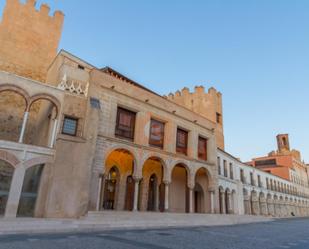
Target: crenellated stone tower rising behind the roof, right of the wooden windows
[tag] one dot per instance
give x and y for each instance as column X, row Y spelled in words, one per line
column 208, row 105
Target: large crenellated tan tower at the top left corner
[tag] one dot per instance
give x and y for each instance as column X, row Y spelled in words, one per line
column 29, row 38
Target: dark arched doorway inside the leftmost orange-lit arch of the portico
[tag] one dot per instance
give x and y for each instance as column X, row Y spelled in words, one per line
column 110, row 188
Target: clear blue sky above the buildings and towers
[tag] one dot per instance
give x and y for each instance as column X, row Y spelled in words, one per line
column 256, row 52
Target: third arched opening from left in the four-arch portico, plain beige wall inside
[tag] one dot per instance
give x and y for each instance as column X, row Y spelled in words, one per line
column 179, row 201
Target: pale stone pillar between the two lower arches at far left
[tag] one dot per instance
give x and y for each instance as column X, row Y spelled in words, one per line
column 15, row 192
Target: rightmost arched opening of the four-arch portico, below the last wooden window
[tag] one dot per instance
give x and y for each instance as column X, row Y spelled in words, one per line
column 201, row 195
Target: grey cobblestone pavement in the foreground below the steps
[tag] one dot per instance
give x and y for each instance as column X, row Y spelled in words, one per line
column 288, row 233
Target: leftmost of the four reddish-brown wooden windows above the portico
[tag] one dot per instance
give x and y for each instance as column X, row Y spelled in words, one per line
column 125, row 123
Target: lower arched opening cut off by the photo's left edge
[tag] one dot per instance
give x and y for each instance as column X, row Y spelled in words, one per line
column 6, row 175
